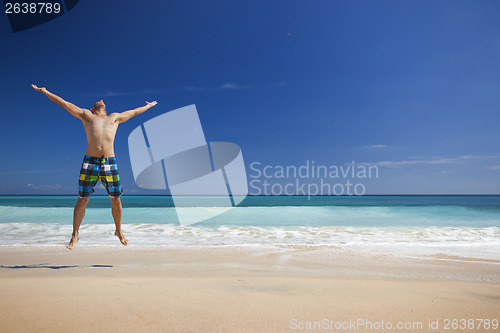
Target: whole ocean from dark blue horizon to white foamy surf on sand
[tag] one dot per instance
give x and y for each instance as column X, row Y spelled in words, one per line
column 408, row 226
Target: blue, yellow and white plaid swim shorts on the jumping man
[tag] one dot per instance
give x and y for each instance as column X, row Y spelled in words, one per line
column 99, row 168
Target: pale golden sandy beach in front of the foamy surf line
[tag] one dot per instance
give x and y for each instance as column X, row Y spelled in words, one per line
column 117, row 289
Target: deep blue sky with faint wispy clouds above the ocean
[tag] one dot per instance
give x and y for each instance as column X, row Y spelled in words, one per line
column 410, row 86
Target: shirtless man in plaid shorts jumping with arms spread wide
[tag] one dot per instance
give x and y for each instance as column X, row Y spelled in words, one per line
column 99, row 162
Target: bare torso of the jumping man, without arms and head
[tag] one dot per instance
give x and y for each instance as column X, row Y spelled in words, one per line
column 101, row 131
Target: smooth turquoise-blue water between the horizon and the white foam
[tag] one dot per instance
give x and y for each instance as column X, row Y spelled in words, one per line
column 381, row 211
